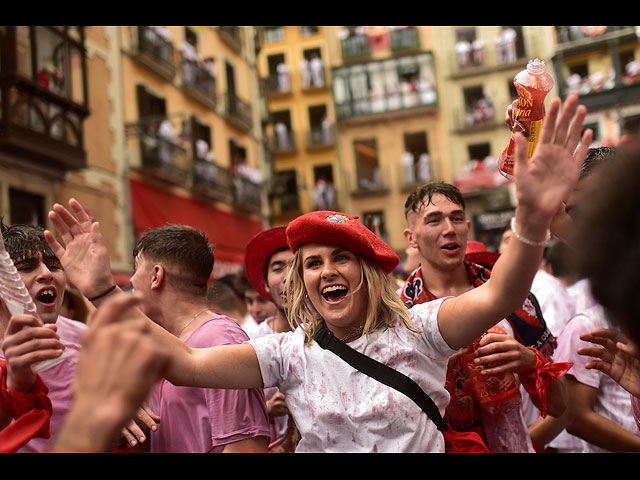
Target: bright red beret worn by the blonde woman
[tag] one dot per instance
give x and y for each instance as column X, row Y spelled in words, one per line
column 341, row 230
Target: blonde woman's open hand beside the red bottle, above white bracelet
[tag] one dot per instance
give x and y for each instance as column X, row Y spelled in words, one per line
column 545, row 180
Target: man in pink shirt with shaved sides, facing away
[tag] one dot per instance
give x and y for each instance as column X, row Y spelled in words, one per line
column 172, row 268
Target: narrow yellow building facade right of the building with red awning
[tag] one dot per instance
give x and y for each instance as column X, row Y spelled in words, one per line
column 295, row 62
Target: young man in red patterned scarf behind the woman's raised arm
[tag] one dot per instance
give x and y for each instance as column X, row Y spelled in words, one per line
column 439, row 229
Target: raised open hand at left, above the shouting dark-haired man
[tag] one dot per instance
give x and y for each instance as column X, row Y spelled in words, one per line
column 84, row 255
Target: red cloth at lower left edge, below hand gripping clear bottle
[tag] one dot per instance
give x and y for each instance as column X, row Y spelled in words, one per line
column 31, row 411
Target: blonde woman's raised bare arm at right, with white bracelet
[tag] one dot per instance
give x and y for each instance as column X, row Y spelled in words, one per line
column 542, row 184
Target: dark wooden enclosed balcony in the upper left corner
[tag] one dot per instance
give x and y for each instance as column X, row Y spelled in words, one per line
column 43, row 105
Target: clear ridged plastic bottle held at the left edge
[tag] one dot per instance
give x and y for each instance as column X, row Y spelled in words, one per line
column 18, row 300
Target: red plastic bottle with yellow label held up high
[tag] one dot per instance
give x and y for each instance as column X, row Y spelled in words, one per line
column 532, row 84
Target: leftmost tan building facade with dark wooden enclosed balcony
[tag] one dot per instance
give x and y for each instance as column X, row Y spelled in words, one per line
column 60, row 128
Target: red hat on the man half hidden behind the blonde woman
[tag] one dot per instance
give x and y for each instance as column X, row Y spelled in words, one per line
column 257, row 253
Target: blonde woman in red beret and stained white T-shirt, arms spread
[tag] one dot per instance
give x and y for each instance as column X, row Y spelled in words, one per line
column 339, row 279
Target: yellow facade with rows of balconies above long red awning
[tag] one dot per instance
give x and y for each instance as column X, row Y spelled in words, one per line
column 193, row 128
